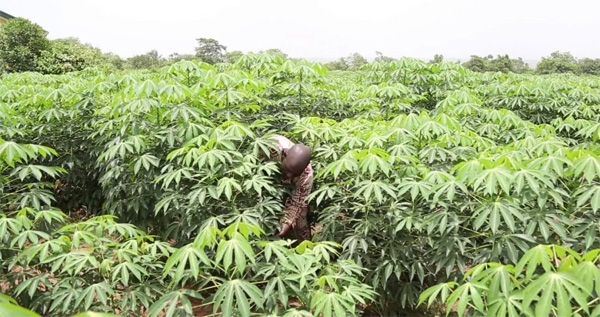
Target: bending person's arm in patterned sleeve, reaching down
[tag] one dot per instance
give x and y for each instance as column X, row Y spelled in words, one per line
column 296, row 203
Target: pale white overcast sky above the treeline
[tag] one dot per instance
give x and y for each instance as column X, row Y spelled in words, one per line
column 325, row 29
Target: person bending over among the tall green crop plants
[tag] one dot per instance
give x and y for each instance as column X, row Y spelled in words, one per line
column 297, row 171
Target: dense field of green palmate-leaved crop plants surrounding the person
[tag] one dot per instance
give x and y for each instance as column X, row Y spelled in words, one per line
column 436, row 189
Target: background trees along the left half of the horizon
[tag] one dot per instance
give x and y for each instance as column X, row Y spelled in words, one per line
column 24, row 46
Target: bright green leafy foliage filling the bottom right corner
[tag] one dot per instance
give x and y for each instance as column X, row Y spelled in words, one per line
column 549, row 280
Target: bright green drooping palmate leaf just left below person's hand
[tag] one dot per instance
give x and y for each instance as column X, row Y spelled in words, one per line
column 237, row 248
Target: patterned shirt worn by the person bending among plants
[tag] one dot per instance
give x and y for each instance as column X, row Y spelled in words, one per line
column 296, row 205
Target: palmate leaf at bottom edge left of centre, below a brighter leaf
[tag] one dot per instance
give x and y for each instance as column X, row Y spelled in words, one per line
column 237, row 296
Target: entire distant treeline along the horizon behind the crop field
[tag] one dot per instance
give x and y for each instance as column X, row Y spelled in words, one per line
column 25, row 47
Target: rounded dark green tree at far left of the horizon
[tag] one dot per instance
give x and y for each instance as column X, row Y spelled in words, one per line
column 21, row 44
